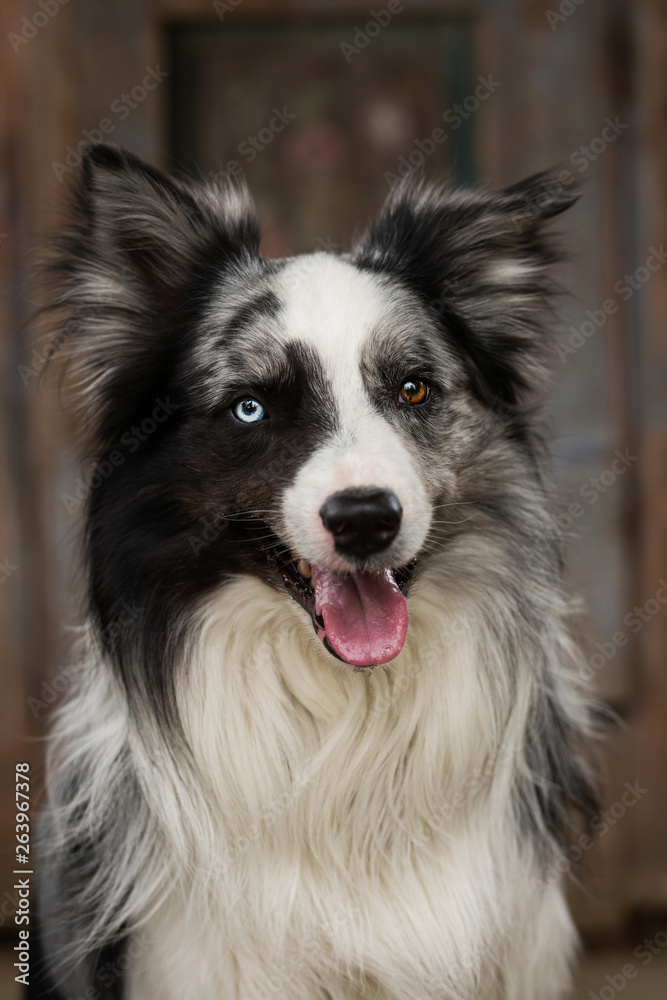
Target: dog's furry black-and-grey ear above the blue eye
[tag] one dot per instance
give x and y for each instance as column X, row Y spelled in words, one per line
column 135, row 258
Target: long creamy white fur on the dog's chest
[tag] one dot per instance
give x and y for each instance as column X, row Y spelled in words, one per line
column 352, row 837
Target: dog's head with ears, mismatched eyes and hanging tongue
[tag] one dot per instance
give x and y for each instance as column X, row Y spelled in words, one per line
column 319, row 422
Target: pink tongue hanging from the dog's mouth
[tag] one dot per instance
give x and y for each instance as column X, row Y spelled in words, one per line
column 365, row 614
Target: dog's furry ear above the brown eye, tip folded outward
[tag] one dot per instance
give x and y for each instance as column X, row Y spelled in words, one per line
column 482, row 263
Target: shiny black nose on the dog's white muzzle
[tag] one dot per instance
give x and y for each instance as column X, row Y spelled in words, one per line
column 362, row 521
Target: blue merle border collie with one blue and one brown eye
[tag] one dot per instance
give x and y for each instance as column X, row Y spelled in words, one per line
column 326, row 740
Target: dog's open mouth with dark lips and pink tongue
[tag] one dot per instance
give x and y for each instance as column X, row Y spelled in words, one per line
column 361, row 618
